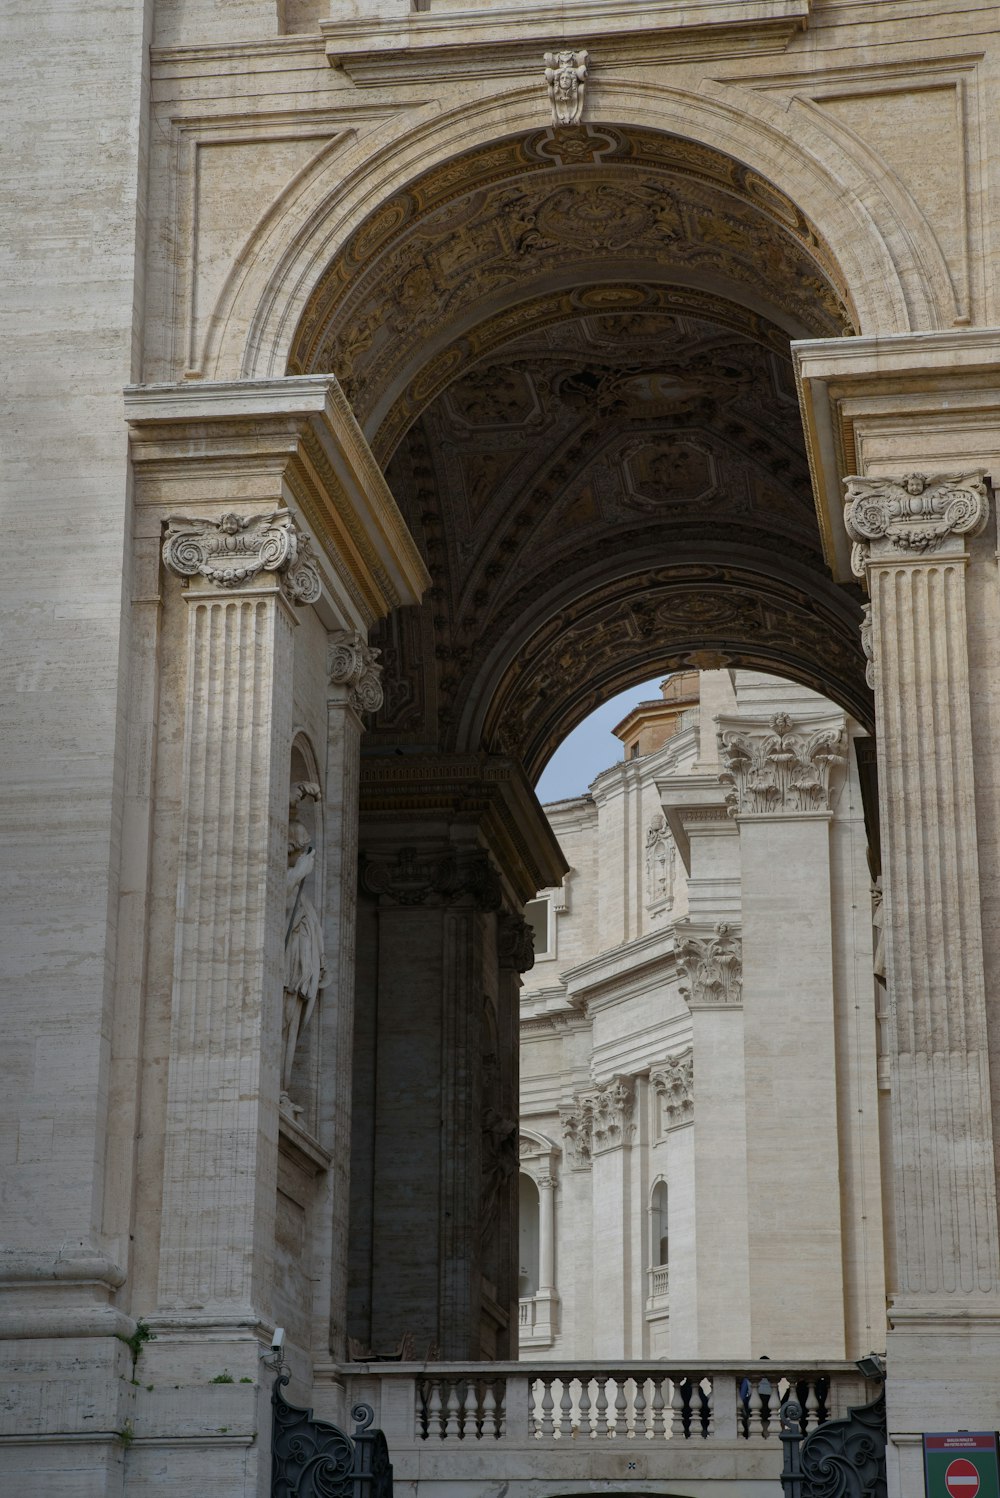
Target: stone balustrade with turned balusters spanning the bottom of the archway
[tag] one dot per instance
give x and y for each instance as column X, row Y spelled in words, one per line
column 454, row 1422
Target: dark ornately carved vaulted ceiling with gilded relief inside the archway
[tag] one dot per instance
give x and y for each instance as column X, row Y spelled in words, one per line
column 573, row 356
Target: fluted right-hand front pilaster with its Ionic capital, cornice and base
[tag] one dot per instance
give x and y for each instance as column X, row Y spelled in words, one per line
column 911, row 428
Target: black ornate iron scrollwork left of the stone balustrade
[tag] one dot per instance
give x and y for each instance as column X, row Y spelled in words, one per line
column 317, row 1460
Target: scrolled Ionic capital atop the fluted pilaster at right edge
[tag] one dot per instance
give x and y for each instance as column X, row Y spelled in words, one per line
column 915, row 513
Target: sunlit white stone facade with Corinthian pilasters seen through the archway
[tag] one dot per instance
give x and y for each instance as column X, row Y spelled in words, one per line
column 700, row 1105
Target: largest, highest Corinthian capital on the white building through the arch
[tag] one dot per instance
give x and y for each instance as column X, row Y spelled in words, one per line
column 781, row 768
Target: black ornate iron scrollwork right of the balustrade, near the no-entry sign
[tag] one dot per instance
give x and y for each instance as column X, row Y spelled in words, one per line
column 841, row 1458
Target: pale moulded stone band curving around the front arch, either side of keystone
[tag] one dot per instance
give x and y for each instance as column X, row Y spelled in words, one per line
column 823, row 172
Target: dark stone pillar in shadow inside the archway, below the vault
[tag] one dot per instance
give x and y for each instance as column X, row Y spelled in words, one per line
column 450, row 852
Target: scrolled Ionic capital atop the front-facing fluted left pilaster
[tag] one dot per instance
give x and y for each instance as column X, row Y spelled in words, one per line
column 234, row 551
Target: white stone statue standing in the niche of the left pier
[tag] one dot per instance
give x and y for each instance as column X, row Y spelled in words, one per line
column 305, row 952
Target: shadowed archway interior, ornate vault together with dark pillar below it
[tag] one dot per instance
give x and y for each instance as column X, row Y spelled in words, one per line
column 571, row 351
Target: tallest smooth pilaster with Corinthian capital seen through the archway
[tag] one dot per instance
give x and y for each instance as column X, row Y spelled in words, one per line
column 779, row 778
